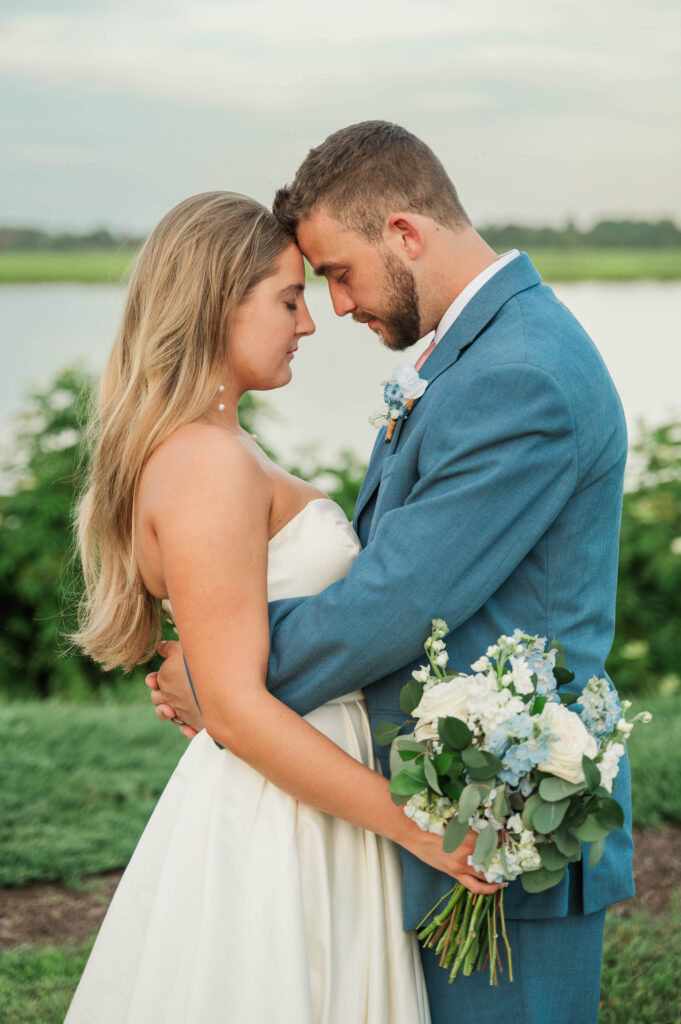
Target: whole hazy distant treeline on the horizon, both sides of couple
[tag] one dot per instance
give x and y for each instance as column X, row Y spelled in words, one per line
column 605, row 235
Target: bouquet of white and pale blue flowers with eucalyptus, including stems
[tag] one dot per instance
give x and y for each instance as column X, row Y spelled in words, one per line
column 499, row 752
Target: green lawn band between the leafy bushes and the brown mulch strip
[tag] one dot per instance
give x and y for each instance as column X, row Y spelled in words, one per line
column 80, row 782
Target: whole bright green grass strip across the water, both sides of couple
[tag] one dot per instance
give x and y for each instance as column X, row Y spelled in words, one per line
column 110, row 266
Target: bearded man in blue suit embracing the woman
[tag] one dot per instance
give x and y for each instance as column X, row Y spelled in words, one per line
column 495, row 505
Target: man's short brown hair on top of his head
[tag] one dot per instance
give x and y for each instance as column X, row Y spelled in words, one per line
column 363, row 174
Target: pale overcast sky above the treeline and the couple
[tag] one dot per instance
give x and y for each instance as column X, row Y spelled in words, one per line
column 112, row 112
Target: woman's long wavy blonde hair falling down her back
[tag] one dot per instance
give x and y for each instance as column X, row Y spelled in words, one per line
column 164, row 371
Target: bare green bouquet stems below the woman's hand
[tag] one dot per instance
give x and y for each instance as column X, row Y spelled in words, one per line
column 466, row 933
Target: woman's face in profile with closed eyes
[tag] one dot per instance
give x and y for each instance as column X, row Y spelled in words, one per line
column 268, row 327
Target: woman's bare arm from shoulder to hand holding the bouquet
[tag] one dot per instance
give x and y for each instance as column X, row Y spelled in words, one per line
column 211, row 522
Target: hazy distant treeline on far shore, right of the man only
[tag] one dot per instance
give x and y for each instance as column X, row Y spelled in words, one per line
column 605, row 235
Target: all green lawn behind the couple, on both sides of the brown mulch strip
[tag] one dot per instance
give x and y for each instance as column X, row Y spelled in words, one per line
column 79, row 783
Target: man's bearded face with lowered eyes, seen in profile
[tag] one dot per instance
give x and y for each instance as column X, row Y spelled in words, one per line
column 365, row 280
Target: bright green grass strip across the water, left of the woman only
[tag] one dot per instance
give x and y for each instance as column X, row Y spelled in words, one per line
column 94, row 267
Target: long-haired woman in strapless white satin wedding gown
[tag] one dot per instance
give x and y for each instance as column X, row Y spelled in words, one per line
column 264, row 888
